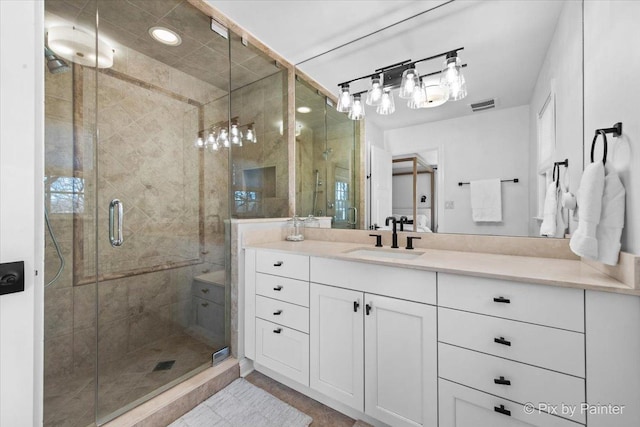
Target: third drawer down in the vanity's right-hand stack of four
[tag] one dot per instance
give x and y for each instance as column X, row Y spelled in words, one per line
column 527, row 383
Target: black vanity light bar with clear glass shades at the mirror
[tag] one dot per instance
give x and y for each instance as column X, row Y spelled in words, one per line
column 418, row 90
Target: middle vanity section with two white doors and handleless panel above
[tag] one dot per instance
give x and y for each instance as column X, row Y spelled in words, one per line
column 375, row 353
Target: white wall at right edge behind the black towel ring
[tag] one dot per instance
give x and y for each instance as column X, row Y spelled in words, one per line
column 612, row 94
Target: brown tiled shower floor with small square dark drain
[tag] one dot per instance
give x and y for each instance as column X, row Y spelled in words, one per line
column 69, row 400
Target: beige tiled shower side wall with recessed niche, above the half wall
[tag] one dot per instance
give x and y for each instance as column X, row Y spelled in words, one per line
column 262, row 103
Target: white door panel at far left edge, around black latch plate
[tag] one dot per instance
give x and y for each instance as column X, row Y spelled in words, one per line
column 21, row 134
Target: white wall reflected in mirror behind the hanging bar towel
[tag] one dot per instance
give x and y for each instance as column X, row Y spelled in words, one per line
column 490, row 144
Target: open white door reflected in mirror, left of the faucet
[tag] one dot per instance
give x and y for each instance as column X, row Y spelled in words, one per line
column 381, row 185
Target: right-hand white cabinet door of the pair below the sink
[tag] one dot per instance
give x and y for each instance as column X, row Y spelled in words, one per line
column 400, row 361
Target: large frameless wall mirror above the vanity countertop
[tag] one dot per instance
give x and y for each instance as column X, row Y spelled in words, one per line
column 524, row 66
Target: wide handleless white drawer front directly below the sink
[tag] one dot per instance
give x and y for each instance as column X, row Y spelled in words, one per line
column 397, row 282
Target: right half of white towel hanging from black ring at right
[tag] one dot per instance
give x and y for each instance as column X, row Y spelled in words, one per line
column 611, row 219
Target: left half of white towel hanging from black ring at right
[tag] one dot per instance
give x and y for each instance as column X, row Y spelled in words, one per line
column 583, row 241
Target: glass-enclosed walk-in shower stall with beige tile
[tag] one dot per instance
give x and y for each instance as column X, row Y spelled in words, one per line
column 138, row 199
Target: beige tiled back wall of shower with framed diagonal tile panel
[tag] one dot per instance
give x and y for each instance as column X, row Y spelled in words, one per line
column 146, row 159
